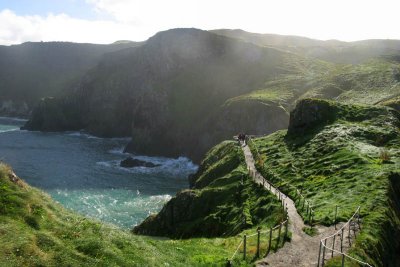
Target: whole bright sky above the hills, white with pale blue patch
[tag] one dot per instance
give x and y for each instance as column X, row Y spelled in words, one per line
column 106, row 21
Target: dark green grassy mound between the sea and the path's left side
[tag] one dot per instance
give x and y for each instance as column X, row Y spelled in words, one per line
column 223, row 201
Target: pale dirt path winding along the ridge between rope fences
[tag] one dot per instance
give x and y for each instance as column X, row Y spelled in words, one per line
column 303, row 249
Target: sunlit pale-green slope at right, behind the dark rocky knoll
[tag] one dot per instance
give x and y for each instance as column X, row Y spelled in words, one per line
column 368, row 83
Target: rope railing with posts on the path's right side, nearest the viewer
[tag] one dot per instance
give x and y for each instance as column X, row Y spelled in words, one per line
column 341, row 233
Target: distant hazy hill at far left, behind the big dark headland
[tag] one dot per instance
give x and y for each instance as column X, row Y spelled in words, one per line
column 34, row 70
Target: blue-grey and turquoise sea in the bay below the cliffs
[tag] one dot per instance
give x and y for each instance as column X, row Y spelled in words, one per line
column 82, row 173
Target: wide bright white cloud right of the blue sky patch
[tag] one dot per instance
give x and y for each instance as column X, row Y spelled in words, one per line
column 328, row 19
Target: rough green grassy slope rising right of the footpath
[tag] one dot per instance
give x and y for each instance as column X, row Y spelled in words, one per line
column 351, row 159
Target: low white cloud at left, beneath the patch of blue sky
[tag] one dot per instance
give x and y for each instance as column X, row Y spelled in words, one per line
column 16, row 29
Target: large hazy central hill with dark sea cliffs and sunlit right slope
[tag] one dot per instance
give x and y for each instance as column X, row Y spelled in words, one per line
column 185, row 90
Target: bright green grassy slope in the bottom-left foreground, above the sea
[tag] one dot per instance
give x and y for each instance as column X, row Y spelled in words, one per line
column 36, row 231
